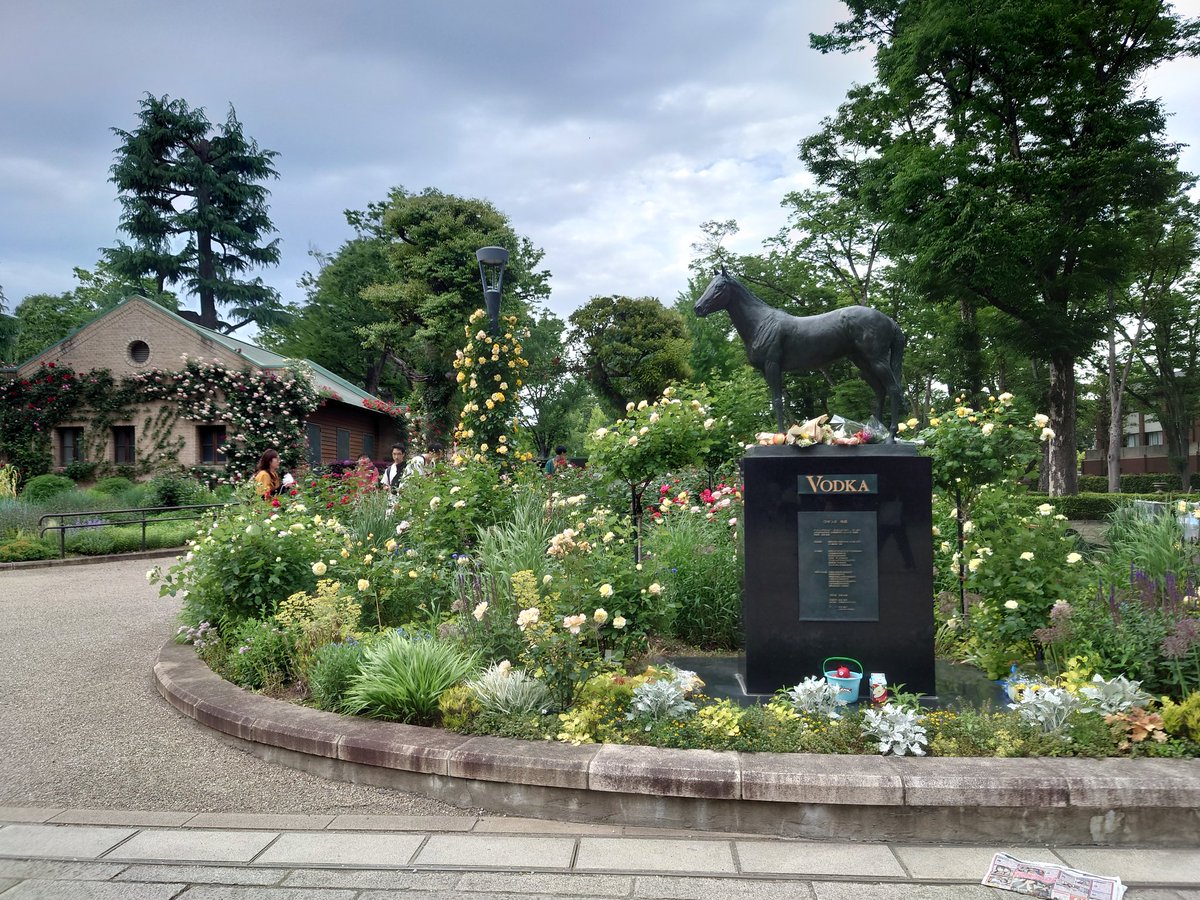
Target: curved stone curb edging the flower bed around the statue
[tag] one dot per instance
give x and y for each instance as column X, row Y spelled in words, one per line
column 1109, row 802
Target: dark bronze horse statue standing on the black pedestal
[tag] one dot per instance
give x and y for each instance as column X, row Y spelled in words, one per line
column 779, row 343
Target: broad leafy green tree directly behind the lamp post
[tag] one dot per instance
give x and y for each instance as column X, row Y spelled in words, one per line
column 434, row 286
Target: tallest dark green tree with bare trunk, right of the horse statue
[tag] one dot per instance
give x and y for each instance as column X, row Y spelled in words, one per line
column 1006, row 146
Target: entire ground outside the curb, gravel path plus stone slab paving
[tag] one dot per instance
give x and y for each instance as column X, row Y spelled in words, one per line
column 85, row 736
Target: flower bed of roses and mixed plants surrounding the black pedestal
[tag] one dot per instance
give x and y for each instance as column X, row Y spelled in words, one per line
column 493, row 601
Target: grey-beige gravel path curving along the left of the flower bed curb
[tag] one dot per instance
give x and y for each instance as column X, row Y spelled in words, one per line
column 83, row 727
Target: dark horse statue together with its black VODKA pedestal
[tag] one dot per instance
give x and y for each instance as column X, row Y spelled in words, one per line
column 838, row 539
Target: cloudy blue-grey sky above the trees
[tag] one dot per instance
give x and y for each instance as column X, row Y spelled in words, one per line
column 608, row 133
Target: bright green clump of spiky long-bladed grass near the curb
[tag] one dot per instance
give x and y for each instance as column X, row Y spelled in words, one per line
column 403, row 679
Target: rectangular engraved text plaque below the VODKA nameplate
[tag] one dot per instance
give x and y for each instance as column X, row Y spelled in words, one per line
column 839, row 567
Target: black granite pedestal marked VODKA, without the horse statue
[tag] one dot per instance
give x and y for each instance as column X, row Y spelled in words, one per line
column 838, row 563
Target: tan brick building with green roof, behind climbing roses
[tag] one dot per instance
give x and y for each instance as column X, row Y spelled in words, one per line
column 140, row 335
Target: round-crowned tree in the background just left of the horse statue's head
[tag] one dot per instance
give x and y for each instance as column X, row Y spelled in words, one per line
column 629, row 349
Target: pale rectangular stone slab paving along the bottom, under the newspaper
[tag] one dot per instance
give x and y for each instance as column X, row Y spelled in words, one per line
column 94, row 855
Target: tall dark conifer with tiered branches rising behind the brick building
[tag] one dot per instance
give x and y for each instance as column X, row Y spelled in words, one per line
column 195, row 209
